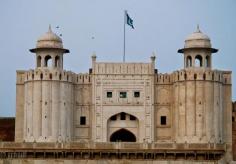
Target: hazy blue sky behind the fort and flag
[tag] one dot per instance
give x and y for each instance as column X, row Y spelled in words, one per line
column 89, row 26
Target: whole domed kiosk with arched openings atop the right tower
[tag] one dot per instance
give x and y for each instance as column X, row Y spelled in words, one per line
column 197, row 51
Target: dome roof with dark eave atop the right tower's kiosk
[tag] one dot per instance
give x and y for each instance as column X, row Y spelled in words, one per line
column 197, row 40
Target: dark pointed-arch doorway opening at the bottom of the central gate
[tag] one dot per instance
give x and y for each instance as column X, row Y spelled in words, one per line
column 123, row 135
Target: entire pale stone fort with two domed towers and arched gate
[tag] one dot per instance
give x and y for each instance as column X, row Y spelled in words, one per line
column 125, row 111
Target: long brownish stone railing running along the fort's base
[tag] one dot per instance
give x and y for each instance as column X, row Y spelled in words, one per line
column 118, row 150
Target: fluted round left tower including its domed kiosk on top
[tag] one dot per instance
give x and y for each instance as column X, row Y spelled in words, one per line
column 48, row 104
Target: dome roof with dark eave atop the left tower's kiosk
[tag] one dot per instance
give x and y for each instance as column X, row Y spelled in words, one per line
column 49, row 40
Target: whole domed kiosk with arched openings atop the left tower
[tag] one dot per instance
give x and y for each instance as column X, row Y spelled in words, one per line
column 49, row 51
